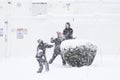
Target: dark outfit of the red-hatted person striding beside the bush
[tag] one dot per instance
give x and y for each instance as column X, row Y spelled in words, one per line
column 57, row 50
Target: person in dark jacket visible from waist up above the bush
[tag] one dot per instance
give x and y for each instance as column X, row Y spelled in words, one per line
column 68, row 31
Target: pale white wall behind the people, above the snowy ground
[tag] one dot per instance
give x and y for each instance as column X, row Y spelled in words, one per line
column 96, row 20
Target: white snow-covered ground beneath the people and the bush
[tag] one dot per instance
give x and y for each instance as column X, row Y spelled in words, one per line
column 105, row 67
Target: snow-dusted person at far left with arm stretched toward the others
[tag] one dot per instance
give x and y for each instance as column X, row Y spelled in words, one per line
column 41, row 57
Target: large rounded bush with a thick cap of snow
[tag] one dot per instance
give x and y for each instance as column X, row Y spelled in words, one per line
column 78, row 52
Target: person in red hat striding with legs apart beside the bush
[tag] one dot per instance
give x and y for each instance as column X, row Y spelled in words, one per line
column 57, row 51
